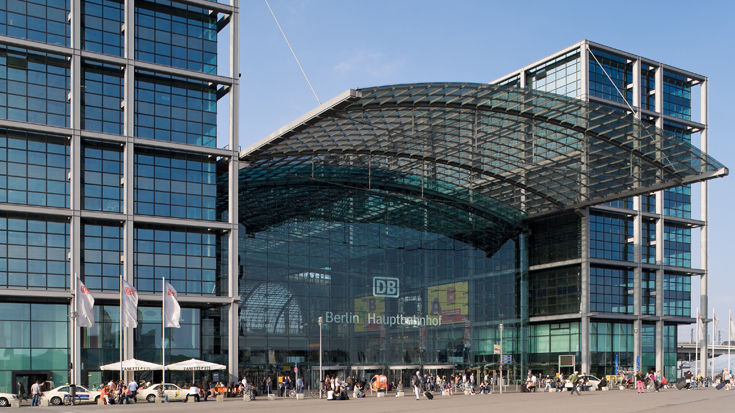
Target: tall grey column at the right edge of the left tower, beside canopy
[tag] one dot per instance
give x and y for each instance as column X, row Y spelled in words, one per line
column 233, row 191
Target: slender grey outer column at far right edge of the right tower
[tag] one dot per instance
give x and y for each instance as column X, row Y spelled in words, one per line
column 704, row 216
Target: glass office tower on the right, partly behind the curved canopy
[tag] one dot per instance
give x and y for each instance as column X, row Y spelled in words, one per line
column 635, row 269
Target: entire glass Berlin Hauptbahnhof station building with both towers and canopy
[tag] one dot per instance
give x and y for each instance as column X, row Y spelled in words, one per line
column 413, row 219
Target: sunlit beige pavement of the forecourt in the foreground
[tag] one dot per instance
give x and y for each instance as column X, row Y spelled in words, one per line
column 627, row 401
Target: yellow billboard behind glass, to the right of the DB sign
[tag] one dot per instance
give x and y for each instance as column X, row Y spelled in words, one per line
column 450, row 301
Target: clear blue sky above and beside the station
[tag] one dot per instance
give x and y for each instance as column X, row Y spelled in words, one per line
column 352, row 44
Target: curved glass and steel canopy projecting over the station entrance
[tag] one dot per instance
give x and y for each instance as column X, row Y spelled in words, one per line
column 500, row 153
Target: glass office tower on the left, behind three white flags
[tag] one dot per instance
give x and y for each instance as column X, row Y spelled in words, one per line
column 110, row 160
